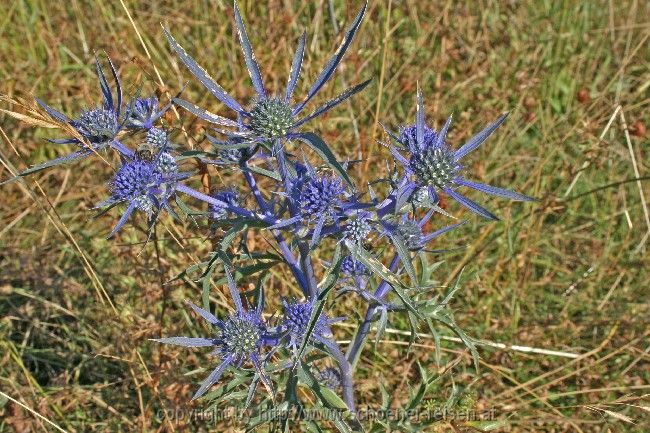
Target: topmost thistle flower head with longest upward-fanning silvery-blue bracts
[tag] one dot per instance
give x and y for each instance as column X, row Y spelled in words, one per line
column 270, row 117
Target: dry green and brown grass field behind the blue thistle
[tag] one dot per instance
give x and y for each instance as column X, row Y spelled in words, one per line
column 569, row 274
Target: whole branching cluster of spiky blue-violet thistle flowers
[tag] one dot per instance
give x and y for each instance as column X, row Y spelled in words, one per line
column 302, row 204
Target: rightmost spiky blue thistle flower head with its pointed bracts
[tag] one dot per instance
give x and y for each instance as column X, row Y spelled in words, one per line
column 433, row 166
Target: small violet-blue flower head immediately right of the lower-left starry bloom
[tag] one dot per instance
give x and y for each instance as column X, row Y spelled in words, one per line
column 296, row 320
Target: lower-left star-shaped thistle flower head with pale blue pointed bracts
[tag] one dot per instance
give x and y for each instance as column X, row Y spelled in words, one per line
column 237, row 339
